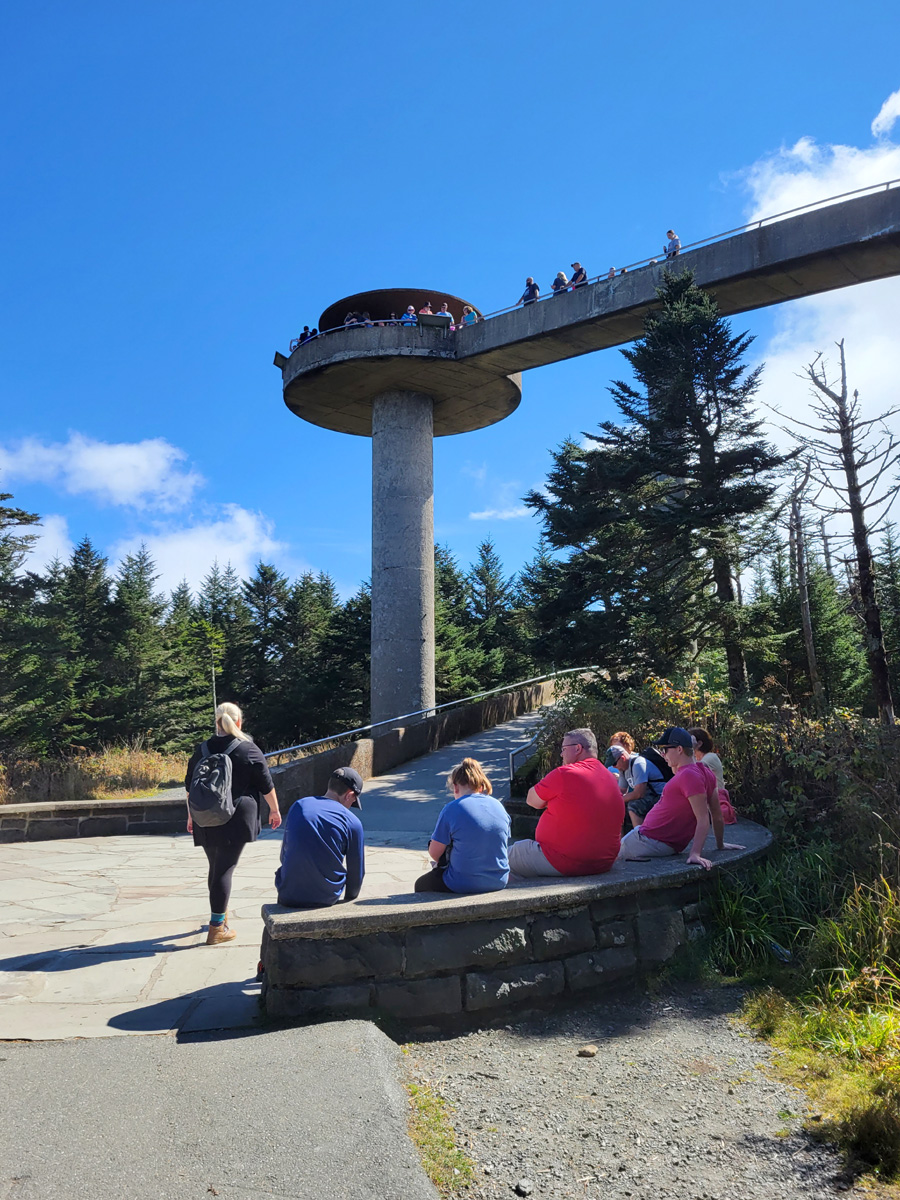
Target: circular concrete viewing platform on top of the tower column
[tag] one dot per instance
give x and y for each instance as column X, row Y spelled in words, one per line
column 333, row 380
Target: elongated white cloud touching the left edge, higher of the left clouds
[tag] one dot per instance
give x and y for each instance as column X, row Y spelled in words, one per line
column 139, row 475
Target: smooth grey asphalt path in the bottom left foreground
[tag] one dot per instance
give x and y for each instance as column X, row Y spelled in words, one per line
column 309, row 1114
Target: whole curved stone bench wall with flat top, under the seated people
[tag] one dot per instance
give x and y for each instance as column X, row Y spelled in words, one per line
column 430, row 958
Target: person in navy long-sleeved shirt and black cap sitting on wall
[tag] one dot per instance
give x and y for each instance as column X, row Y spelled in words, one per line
column 322, row 856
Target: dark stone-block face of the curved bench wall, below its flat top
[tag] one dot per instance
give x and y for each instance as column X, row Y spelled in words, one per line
column 442, row 971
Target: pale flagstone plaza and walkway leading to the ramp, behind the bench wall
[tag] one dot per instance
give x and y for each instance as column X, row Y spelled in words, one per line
column 105, row 937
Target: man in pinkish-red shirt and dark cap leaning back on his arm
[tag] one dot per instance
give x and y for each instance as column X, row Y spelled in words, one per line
column 682, row 817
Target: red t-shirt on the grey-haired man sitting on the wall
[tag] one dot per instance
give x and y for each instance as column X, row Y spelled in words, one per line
column 581, row 827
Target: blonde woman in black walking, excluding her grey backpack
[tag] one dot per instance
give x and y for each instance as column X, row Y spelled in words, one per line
column 251, row 790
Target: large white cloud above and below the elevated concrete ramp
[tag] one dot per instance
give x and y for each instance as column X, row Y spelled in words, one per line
column 865, row 316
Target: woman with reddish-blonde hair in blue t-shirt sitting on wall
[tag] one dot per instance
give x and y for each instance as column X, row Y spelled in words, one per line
column 469, row 847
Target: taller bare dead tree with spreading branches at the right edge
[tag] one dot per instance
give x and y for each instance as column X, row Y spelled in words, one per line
column 850, row 459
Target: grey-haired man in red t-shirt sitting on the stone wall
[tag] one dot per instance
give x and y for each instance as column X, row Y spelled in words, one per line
column 580, row 829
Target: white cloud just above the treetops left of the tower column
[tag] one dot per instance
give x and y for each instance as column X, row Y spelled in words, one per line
column 237, row 537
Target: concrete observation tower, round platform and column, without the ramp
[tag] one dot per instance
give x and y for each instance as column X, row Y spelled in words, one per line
column 403, row 387
